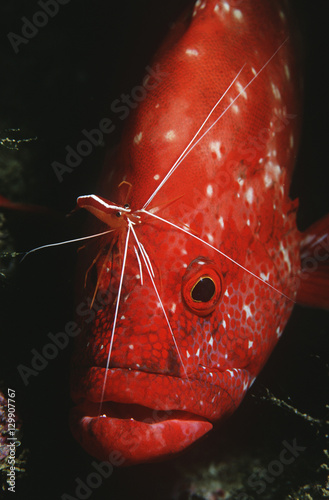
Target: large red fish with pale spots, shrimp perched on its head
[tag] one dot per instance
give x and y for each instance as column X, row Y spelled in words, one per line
column 185, row 297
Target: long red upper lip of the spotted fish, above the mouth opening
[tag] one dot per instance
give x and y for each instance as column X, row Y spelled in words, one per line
column 210, row 395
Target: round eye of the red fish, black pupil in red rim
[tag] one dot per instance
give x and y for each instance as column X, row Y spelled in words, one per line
column 202, row 286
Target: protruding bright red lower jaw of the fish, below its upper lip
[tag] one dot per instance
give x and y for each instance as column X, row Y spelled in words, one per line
column 133, row 433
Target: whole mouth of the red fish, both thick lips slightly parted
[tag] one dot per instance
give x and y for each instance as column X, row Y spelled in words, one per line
column 144, row 416
